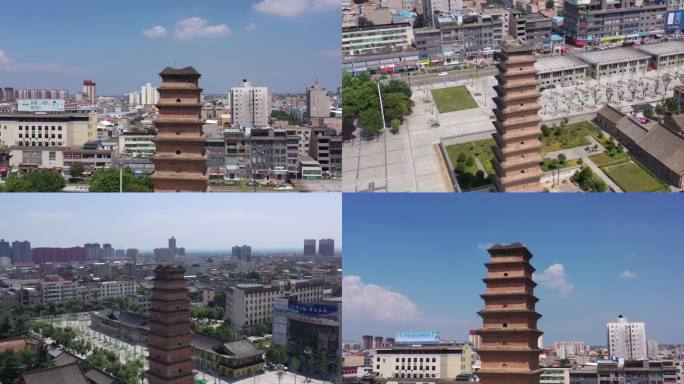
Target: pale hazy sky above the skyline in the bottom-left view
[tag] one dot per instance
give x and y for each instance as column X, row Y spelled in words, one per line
column 146, row 221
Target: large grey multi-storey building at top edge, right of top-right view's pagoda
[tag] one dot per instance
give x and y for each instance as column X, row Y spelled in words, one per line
column 609, row 23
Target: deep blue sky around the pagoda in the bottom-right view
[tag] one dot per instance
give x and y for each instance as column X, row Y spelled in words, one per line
column 415, row 261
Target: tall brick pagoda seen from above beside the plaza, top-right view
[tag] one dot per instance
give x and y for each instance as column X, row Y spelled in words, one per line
column 517, row 144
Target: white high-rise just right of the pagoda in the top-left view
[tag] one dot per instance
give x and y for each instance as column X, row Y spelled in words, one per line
column 251, row 106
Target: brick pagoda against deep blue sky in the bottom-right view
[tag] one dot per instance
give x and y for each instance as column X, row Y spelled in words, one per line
column 509, row 351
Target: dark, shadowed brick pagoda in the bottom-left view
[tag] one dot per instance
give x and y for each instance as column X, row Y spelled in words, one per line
column 170, row 353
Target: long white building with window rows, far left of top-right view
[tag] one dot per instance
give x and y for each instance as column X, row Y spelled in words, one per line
column 376, row 39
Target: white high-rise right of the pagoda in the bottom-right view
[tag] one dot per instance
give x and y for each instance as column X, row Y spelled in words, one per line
column 627, row 339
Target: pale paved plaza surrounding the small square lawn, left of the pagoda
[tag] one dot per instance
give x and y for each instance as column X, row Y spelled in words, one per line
column 410, row 161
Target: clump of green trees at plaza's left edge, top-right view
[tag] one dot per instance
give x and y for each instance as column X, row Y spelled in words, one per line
column 361, row 104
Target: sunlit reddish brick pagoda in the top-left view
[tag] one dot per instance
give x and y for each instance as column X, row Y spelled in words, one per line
column 180, row 160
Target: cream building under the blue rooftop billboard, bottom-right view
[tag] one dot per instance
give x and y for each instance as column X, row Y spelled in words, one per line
column 432, row 362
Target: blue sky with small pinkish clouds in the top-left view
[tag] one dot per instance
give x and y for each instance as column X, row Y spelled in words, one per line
column 121, row 45
